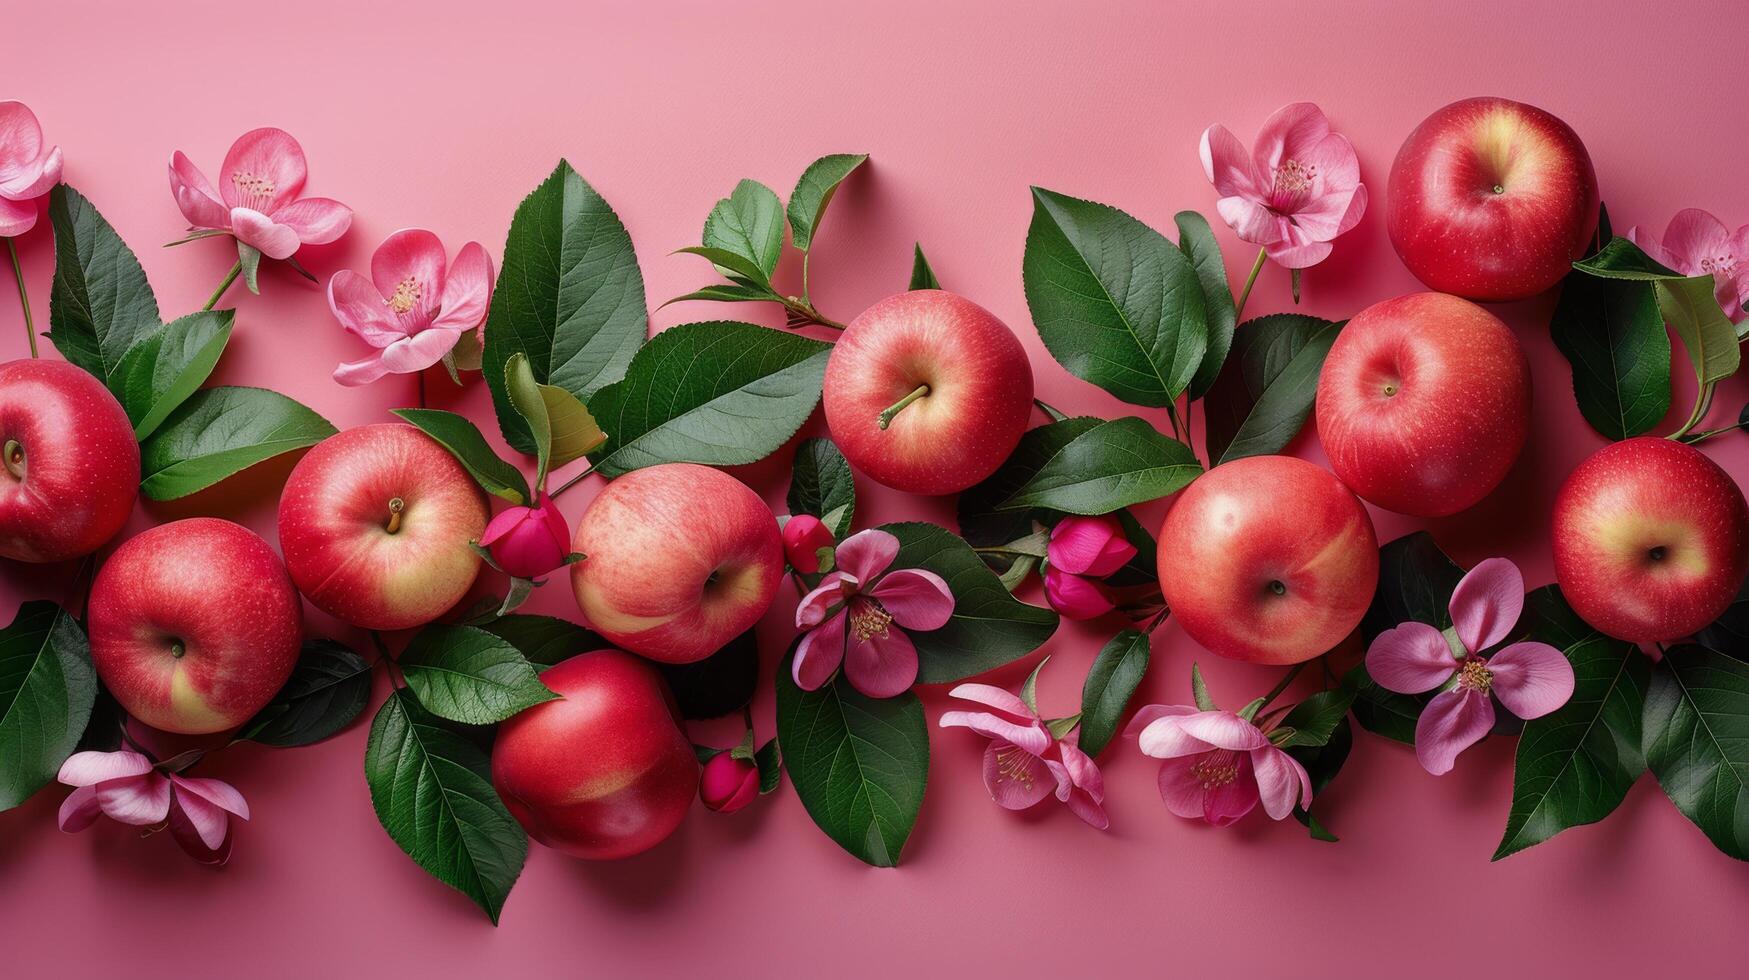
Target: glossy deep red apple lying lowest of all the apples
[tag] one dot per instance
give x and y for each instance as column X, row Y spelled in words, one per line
column 606, row 773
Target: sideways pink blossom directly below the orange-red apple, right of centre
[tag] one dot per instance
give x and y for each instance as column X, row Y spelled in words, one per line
column 1218, row 766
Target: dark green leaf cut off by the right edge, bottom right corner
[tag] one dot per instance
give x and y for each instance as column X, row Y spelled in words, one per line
column 1697, row 741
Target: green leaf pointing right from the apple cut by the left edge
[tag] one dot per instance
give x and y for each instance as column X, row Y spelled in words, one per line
column 219, row 433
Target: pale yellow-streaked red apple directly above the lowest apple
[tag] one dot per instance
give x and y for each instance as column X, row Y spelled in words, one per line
column 679, row 559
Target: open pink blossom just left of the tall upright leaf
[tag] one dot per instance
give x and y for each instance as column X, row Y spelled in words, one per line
column 412, row 309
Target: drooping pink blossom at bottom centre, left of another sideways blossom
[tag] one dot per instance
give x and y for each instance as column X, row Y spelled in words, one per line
column 1022, row 762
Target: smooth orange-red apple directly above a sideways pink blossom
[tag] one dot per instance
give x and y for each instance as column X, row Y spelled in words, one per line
column 1258, row 522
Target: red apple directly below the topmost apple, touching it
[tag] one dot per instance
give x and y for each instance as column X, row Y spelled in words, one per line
column 1425, row 403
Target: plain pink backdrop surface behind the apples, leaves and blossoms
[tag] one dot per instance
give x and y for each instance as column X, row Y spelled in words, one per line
column 447, row 115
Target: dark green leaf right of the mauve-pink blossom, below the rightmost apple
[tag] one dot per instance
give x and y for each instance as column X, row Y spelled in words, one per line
column 1577, row 764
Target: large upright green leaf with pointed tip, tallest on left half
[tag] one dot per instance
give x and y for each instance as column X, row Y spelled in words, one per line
column 569, row 297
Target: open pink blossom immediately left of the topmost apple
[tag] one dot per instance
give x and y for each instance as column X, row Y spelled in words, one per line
column 1295, row 193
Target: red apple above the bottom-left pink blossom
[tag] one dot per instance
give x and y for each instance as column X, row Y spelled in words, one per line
column 218, row 592
